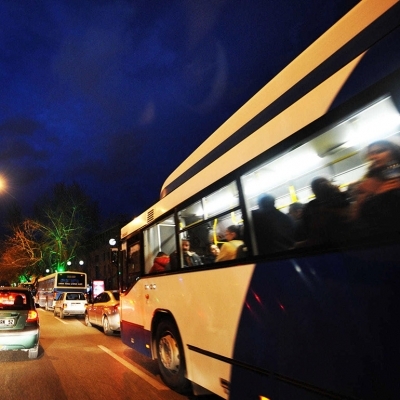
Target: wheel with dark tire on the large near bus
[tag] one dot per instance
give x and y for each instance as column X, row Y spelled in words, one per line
column 171, row 358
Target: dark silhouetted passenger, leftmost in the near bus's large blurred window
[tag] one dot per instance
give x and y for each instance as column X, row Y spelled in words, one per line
column 273, row 229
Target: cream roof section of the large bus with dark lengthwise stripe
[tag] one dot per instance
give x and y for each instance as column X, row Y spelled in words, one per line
column 261, row 117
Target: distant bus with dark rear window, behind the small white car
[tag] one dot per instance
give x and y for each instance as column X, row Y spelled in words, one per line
column 50, row 286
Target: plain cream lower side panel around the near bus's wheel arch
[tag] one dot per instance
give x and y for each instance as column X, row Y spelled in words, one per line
column 206, row 306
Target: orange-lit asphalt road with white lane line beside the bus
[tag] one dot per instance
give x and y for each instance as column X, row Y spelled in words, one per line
column 78, row 362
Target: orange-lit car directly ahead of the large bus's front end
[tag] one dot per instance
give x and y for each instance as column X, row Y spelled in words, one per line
column 104, row 311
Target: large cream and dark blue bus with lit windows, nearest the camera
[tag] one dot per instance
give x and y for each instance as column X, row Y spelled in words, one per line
column 313, row 316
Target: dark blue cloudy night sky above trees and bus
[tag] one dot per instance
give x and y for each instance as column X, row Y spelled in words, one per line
column 116, row 94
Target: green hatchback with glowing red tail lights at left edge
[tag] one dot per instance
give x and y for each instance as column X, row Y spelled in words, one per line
column 19, row 321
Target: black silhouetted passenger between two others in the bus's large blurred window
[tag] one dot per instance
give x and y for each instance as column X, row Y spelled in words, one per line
column 327, row 218
